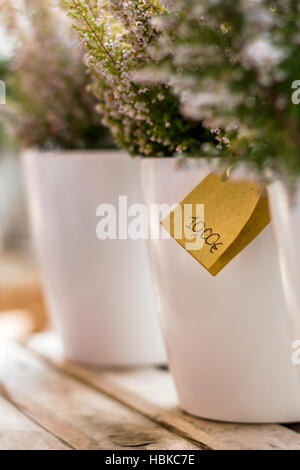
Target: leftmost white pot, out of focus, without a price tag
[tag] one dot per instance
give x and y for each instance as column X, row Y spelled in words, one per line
column 99, row 292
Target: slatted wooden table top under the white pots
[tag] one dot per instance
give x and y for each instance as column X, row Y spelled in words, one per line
column 47, row 403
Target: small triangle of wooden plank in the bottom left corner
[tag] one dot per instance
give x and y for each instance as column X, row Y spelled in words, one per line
column 17, row 432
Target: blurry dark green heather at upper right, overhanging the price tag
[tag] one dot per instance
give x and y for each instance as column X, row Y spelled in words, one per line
column 234, row 64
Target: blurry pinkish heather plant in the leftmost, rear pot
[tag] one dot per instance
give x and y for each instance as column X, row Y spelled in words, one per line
column 51, row 106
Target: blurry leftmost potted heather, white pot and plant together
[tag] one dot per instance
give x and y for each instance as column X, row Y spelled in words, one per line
column 99, row 291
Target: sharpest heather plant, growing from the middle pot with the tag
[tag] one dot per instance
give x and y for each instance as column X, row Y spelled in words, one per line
column 145, row 120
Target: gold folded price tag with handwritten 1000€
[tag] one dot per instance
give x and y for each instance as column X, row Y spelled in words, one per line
column 232, row 215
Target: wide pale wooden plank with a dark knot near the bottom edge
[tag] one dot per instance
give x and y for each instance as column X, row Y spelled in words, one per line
column 73, row 411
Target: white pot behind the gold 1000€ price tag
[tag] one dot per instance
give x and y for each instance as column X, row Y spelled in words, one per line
column 227, row 337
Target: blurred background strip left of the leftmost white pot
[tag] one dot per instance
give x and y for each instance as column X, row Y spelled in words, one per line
column 22, row 309
